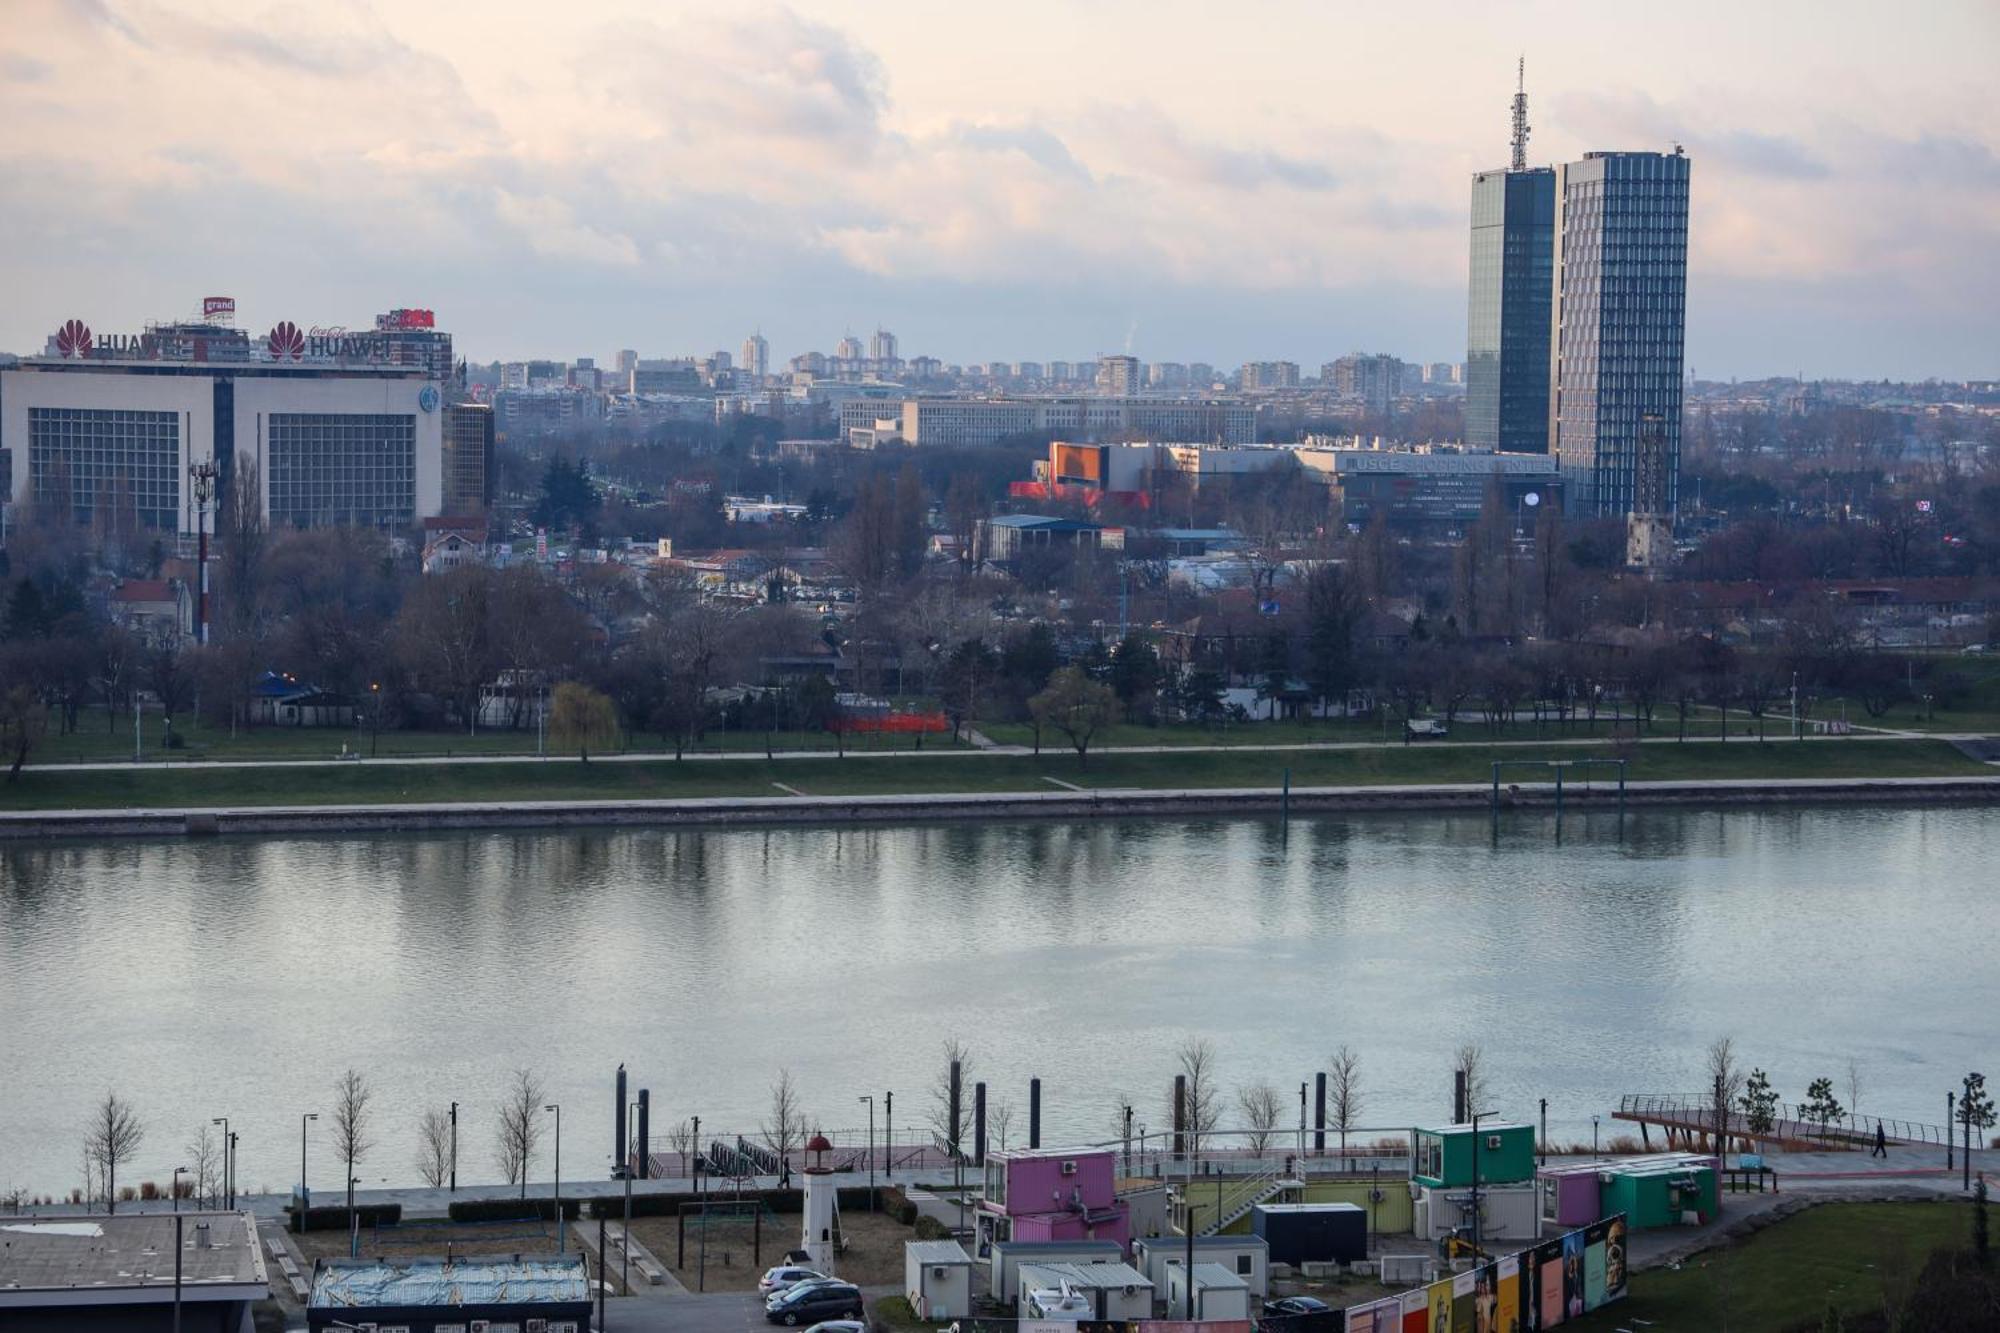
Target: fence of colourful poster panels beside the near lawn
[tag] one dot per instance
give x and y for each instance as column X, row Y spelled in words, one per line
column 1529, row 1292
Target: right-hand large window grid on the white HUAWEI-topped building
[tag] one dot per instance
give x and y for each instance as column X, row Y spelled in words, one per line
column 343, row 469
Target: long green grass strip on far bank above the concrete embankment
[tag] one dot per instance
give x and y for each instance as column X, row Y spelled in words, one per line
column 939, row 774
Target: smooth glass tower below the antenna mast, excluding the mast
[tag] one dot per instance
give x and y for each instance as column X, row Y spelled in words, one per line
column 1509, row 319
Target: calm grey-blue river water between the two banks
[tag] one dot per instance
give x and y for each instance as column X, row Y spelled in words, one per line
column 243, row 978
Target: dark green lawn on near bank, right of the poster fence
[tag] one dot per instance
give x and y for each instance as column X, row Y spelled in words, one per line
column 1789, row 1272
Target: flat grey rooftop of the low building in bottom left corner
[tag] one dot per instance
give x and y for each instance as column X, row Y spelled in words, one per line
column 121, row 1254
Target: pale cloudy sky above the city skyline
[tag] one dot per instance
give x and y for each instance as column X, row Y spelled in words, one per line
column 993, row 183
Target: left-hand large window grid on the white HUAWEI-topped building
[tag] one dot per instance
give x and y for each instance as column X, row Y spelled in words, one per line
column 107, row 457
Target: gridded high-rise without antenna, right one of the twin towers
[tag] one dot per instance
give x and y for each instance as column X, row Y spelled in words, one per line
column 1619, row 325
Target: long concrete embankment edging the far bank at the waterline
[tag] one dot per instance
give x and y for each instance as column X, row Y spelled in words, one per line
column 1063, row 806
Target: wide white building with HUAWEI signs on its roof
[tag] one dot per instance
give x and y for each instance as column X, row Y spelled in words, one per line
column 333, row 427
